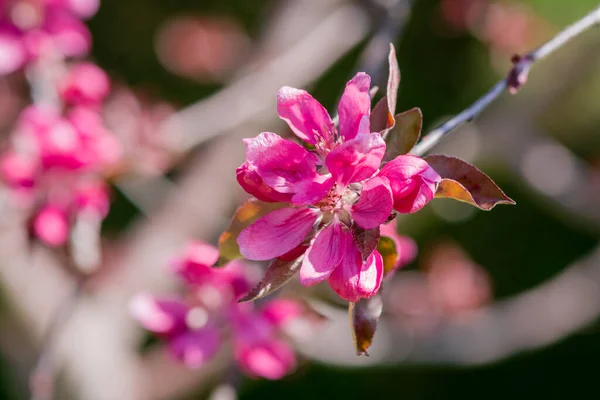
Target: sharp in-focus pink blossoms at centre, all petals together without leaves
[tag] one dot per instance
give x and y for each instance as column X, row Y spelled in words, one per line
column 337, row 189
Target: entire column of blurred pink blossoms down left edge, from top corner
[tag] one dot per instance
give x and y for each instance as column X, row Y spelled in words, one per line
column 60, row 149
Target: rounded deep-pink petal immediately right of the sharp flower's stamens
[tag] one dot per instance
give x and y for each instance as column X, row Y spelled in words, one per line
column 375, row 203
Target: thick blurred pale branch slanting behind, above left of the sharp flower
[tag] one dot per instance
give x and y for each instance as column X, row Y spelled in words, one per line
column 299, row 63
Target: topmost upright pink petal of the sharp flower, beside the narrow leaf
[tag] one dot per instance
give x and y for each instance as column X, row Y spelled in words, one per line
column 354, row 105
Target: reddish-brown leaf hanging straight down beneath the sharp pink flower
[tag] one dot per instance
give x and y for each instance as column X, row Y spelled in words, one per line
column 364, row 316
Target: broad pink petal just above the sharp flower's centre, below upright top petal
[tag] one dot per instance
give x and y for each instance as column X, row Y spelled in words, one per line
column 356, row 159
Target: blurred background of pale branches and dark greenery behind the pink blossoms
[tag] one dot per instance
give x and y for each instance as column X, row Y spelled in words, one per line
column 497, row 304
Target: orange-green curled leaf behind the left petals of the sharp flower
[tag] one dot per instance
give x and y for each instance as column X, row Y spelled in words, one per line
column 244, row 216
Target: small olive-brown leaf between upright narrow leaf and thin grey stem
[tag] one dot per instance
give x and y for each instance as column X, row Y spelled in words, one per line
column 405, row 133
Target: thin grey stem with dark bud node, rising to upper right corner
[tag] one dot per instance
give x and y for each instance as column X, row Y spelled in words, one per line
column 516, row 78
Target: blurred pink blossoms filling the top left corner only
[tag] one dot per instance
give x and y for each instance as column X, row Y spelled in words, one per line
column 34, row 29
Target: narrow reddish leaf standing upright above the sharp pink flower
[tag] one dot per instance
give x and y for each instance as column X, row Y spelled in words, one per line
column 382, row 115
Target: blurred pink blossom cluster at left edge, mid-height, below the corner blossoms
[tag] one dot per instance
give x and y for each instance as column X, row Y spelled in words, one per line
column 55, row 166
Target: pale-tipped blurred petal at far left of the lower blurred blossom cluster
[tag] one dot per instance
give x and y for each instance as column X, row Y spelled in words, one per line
column 162, row 316
